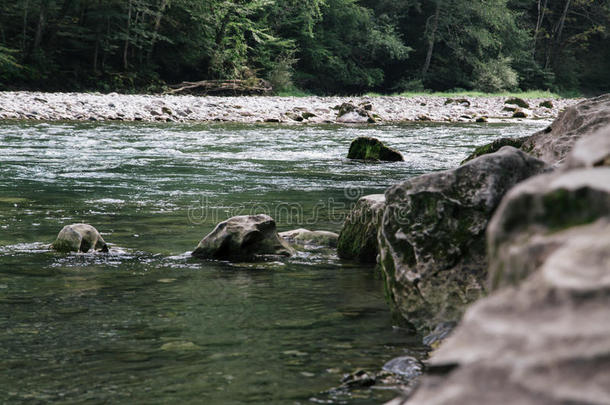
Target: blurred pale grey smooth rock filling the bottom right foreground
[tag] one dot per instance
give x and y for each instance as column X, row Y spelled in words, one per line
column 546, row 341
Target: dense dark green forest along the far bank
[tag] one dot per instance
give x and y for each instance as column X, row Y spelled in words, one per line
column 311, row 46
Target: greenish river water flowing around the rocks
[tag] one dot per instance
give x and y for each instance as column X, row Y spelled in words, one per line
column 149, row 324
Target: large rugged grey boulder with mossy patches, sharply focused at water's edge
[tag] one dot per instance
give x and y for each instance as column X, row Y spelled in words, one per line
column 432, row 237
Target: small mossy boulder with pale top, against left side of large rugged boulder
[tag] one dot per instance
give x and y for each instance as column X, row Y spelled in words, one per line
column 358, row 237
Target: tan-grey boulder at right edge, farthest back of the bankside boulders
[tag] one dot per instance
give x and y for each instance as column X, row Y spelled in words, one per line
column 553, row 143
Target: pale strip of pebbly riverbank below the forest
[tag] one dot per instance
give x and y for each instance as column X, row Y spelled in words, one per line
column 293, row 110
